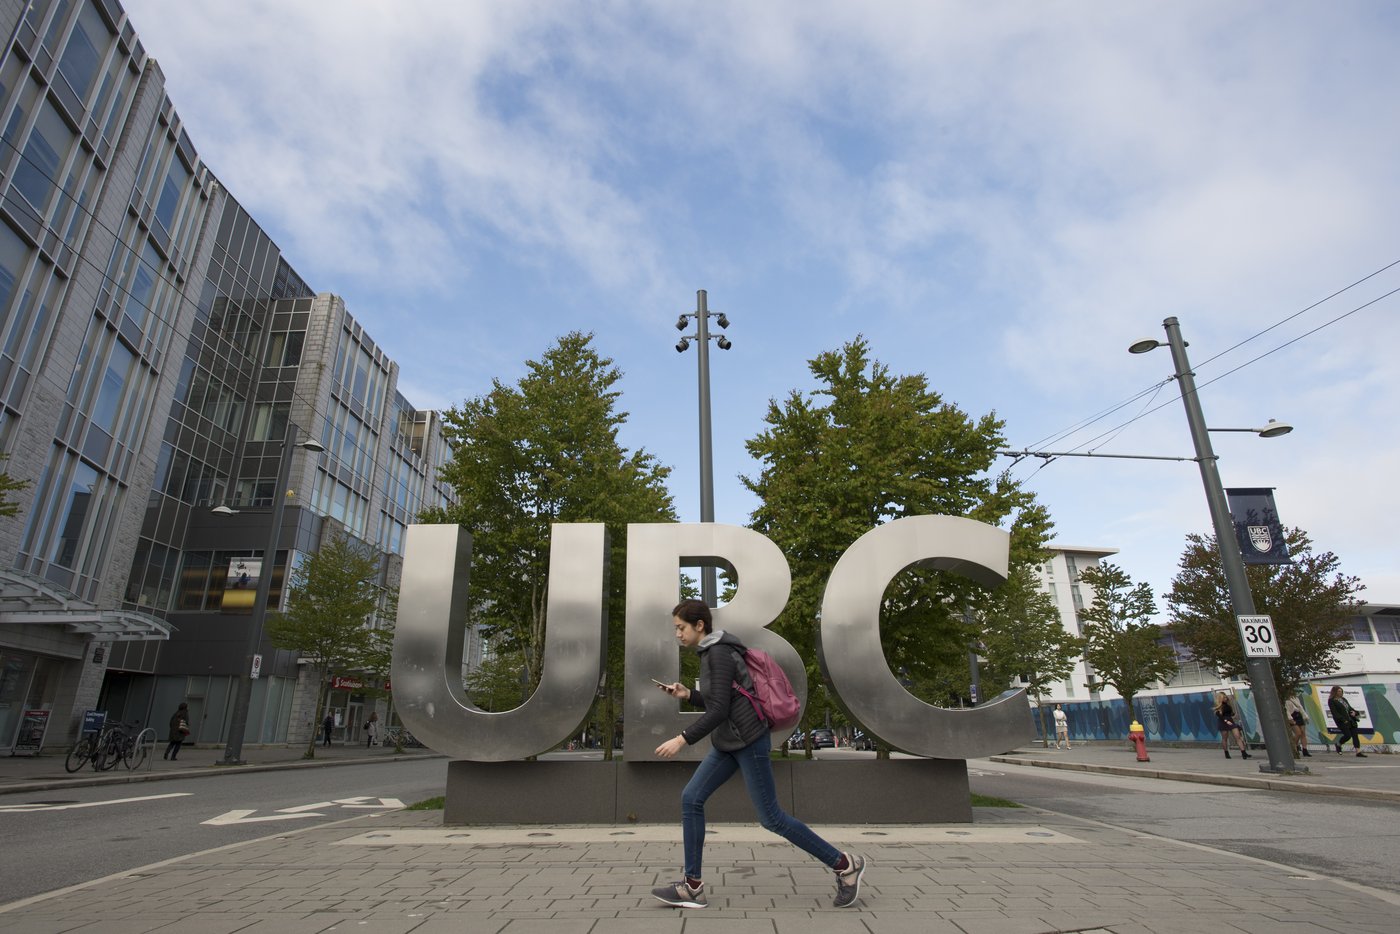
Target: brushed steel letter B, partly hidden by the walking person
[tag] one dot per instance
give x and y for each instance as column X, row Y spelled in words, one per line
column 656, row 554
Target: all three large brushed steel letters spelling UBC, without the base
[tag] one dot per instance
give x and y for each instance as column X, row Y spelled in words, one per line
column 432, row 628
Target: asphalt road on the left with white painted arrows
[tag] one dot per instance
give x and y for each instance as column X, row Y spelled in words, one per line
column 54, row 839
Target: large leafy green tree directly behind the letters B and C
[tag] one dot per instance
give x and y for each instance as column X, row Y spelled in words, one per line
column 864, row 449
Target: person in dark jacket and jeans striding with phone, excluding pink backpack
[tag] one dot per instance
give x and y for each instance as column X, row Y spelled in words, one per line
column 738, row 743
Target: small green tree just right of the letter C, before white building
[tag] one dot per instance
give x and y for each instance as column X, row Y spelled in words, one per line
column 1023, row 636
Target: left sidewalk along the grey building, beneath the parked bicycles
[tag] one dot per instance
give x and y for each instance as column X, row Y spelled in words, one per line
column 47, row 772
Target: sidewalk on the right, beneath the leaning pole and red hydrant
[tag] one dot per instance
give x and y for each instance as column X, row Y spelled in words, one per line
column 1377, row 776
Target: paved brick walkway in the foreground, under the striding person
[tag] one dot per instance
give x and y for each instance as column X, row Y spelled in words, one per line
column 1013, row 872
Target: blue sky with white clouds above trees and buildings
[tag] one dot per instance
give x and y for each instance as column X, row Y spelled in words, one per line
column 1000, row 197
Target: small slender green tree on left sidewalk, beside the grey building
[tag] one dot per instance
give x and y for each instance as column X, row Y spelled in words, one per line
column 327, row 620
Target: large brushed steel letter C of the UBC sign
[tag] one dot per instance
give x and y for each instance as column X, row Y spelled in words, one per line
column 850, row 650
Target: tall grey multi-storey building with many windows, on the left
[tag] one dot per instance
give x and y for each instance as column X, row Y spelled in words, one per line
column 156, row 348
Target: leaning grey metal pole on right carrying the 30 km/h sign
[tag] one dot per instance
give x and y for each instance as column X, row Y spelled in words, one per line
column 1261, row 674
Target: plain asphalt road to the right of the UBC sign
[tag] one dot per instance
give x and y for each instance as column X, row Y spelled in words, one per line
column 1345, row 838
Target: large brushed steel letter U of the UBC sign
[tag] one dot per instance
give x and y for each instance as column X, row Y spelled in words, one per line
column 429, row 639
